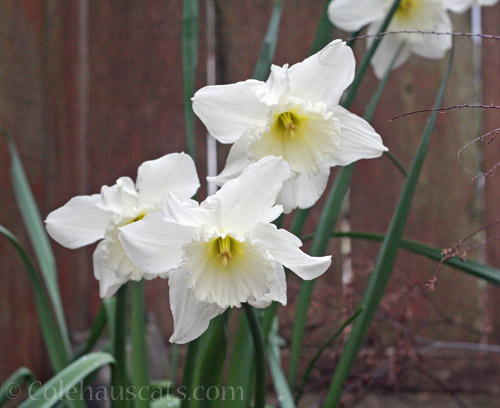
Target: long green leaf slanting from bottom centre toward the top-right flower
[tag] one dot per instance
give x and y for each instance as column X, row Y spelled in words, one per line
column 383, row 267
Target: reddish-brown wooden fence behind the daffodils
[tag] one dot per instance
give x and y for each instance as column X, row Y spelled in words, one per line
column 90, row 89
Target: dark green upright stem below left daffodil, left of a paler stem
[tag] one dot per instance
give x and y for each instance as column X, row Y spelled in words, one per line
column 119, row 380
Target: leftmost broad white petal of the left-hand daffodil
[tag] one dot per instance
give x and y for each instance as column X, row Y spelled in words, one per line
column 79, row 222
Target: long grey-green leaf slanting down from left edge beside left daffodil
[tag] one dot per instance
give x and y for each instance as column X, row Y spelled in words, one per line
column 38, row 236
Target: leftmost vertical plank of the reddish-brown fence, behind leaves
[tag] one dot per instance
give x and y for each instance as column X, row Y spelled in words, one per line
column 21, row 113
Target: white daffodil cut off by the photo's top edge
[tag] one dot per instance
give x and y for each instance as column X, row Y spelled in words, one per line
column 411, row 15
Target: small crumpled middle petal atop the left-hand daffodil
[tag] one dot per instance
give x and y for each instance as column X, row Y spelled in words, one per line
column 120, row 197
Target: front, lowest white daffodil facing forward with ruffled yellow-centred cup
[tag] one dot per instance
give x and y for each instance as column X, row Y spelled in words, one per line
column 223, row 252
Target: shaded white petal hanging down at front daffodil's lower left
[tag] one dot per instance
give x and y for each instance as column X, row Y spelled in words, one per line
column 191, row 317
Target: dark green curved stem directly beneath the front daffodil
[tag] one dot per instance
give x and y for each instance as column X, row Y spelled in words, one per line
column 260, row 359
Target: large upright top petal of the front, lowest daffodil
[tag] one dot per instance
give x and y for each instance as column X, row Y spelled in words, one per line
column 250, row 197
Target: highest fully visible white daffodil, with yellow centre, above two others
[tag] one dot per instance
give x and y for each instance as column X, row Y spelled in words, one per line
column 295, row 115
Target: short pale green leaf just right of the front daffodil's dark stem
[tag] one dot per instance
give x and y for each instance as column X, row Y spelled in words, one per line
column 283, row 392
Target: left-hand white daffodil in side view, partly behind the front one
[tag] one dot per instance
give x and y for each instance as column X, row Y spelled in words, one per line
column 87, row 219
